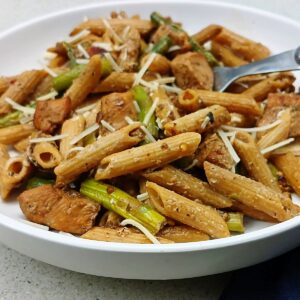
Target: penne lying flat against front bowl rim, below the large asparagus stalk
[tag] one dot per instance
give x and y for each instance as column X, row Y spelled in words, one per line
column 119, row 235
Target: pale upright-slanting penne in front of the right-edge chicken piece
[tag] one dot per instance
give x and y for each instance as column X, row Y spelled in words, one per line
column 276, row 134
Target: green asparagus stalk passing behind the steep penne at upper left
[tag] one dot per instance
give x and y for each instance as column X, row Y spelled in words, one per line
column 64, row 80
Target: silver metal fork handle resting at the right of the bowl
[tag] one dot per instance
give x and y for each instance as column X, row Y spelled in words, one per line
column 285, row 61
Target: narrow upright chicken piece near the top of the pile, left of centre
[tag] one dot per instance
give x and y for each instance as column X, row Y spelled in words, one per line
column 128, row 58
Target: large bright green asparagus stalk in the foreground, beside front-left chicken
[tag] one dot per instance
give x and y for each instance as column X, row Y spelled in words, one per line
column 123, row 204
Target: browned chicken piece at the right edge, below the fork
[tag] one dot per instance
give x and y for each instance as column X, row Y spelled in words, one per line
column 276, row 104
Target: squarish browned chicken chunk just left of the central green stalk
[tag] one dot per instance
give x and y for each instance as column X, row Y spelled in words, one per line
column 114, row 108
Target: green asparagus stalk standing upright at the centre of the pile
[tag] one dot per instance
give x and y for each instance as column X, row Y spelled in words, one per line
column 145, row 103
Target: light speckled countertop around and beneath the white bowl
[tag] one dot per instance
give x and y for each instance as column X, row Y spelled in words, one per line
column 24, row 278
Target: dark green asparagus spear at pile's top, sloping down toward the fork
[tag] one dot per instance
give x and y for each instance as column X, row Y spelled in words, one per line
column 158, row 20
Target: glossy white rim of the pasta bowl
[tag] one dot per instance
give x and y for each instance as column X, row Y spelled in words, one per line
column 11, row 224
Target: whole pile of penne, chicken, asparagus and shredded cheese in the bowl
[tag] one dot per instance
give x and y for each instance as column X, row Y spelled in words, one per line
column 121, row 138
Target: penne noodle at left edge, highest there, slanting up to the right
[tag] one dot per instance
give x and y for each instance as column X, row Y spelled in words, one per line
column 21, row 89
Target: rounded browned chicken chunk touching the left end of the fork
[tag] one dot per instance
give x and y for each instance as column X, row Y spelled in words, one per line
column 192, row 71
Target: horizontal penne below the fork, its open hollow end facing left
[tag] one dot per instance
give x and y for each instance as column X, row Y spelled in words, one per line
column 233, row 102
